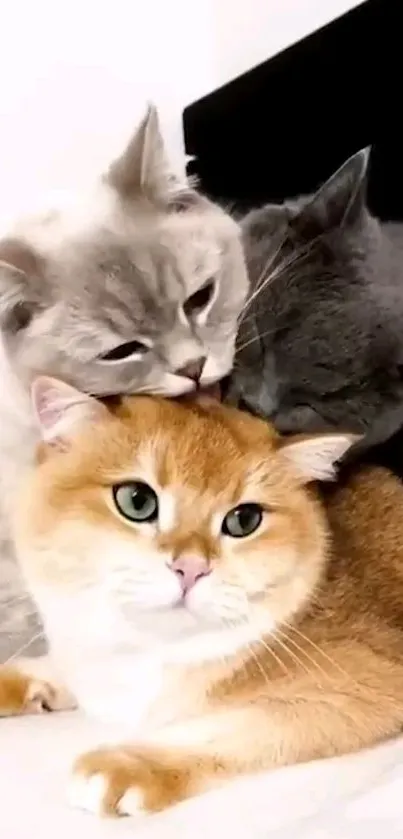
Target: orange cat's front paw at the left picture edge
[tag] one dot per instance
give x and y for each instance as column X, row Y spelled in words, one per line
column 21, row 693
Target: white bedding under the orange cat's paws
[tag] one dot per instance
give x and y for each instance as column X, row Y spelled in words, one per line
column 349, row 798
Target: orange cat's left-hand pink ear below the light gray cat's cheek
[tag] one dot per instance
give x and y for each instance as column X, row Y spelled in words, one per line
column 61, row 410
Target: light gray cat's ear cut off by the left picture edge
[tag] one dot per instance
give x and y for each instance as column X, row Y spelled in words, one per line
column 19, row 265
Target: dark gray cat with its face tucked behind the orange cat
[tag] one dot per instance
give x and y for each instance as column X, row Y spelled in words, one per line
column 321, row 341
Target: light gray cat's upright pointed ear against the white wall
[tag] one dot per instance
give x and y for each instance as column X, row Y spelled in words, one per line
column 143, row 168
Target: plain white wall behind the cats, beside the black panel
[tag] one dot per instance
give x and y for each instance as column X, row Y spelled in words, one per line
column 75, row 74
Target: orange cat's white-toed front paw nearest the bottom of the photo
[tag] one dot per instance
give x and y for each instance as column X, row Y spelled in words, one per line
column 125, row 782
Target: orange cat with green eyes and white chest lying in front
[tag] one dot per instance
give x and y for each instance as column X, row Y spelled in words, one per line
column 193, row 584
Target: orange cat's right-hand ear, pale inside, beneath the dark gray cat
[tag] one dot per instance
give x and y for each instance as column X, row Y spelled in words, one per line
column 315, row 457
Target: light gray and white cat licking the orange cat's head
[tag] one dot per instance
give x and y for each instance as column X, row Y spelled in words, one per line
column 134, row 287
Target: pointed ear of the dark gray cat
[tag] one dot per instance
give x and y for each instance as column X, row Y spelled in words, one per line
column 340, row 200
